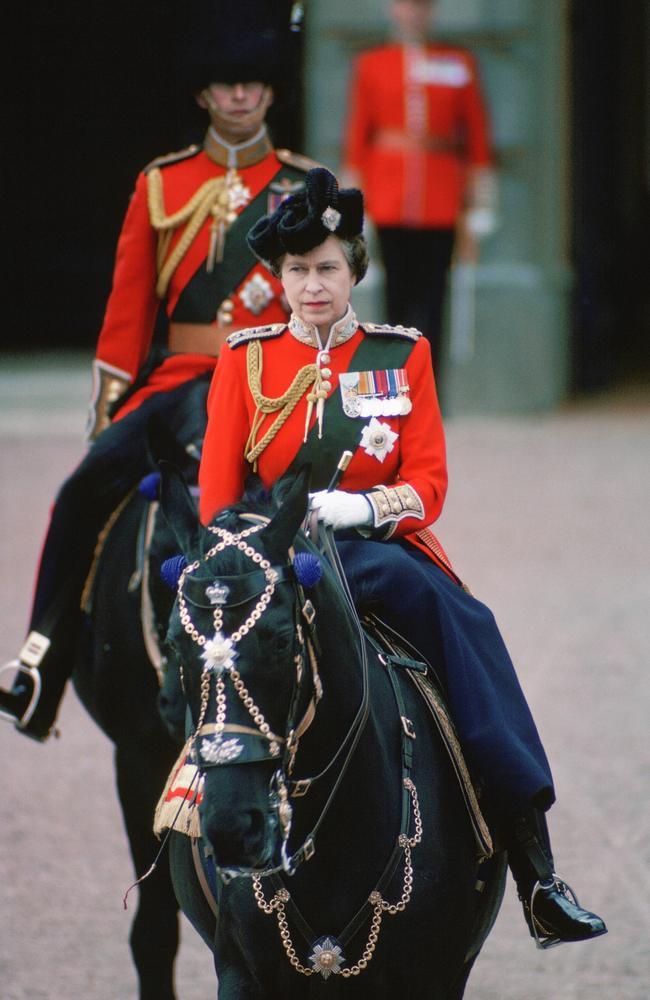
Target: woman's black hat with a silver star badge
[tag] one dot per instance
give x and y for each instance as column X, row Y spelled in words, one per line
column 303, row 221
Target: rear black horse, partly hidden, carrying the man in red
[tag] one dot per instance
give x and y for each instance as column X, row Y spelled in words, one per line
column 118, row 674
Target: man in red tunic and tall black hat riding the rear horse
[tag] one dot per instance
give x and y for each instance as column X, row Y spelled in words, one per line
column 182, row 246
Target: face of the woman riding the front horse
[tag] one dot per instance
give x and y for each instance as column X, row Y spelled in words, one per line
column 318, row 284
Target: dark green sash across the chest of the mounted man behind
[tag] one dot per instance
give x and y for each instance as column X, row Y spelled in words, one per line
column 205, row 291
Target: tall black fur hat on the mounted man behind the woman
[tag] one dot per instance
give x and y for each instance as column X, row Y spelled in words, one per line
column 233, row 41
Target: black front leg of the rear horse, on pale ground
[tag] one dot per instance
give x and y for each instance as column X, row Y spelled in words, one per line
column 141, row 774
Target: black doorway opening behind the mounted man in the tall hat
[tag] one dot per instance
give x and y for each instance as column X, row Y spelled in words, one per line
column 94, row 98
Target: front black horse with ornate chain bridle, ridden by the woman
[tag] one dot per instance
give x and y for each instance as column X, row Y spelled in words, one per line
column 328, row 803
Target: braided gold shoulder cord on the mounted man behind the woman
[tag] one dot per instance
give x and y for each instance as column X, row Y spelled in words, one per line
column 216, row 197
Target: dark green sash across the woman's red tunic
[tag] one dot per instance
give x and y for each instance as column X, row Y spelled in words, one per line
column 340, row 432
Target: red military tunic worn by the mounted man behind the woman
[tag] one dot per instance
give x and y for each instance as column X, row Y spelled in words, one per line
column 255, row 296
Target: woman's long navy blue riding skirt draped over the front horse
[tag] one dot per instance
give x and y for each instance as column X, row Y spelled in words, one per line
column 461, row 640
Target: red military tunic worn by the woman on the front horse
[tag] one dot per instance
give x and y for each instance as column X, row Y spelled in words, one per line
column 417, row 459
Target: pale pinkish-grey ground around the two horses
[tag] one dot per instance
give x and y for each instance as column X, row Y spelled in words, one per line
column 547, row 520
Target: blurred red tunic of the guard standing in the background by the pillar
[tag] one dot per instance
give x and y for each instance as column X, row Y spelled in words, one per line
column 417, row 123
